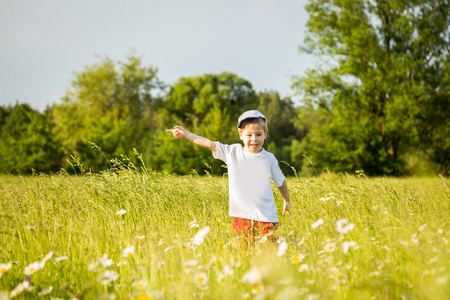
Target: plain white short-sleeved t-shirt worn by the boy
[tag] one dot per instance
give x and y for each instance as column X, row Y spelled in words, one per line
column 249, row 175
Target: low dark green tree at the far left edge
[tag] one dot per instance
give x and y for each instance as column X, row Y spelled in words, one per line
column 27, row 142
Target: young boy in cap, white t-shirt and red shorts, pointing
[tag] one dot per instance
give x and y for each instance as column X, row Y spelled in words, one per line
column 250, row 169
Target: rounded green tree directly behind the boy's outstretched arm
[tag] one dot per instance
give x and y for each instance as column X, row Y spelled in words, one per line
column 208, row 105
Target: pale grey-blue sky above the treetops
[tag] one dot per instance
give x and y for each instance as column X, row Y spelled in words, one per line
column 42, row 43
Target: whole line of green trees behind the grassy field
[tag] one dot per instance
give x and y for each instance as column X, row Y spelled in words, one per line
column 378, row 103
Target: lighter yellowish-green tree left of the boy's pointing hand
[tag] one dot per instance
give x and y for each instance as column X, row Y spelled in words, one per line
column 111, row 105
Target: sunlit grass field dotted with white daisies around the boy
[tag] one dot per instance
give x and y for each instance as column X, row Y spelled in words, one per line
column 128, row 235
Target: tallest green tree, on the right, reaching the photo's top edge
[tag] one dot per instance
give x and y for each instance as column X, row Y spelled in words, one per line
column 385, row 90
